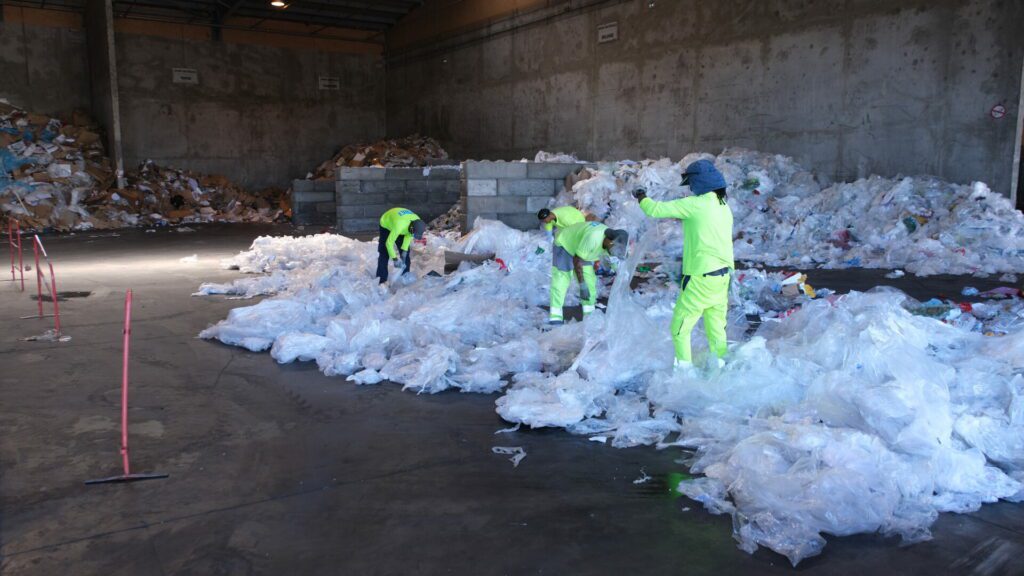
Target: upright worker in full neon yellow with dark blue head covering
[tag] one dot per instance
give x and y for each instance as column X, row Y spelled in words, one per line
column 707, row 258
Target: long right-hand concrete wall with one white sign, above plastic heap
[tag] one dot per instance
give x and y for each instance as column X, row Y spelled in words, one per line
column 848, row 89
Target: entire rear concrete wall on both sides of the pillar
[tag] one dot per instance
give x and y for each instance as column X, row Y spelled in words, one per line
column 257, row 116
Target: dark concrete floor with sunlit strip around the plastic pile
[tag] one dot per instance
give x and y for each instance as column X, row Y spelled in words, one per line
column 280, row 470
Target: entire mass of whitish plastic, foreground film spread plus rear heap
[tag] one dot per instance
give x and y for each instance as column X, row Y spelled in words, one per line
column 834, row 415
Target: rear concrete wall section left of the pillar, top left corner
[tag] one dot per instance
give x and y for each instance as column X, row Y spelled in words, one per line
column 44, row 62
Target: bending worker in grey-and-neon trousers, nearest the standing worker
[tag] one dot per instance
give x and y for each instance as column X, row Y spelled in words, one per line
column 578, row 248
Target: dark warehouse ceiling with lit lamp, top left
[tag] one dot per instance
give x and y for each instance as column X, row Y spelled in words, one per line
column 374, row 16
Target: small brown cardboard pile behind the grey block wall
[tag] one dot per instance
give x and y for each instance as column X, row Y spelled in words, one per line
column 411, row 151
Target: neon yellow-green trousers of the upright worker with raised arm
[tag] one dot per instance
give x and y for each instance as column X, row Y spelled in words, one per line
column 706, row 297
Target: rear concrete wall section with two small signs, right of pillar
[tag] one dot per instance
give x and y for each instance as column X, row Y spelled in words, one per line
column 257, row 116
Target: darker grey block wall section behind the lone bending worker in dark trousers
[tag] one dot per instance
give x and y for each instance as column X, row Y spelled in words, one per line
column 364, row 194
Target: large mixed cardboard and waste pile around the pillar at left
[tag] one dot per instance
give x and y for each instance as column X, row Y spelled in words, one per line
column 55, row 175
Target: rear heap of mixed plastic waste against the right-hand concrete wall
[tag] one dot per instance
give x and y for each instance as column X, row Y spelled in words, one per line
column 784, row 217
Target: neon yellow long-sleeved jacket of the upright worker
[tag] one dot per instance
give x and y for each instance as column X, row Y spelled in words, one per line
column 707, row 231
